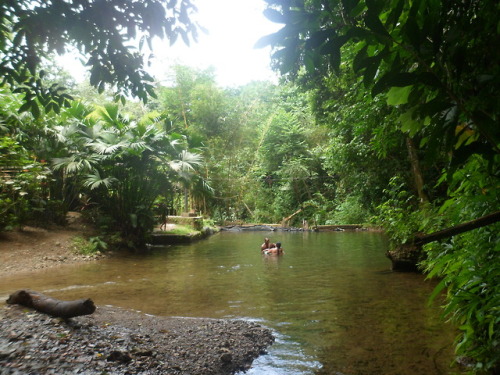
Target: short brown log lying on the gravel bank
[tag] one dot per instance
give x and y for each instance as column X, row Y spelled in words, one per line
column 52, row 306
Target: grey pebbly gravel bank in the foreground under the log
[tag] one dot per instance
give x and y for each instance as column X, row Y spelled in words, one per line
column 117, row 341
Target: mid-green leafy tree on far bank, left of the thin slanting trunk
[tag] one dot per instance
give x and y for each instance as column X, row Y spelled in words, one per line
column 365, row 148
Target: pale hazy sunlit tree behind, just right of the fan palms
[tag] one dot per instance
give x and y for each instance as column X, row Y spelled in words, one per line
column 209, row 117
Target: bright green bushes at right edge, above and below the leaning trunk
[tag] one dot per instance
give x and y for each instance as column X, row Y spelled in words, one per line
column 467, row 264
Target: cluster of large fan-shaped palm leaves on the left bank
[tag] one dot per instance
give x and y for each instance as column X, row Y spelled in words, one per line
column 110, row 165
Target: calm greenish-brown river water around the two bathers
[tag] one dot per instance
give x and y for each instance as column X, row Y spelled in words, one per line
column 331, row 299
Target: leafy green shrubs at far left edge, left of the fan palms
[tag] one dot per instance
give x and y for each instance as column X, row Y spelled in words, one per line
column 24, row 177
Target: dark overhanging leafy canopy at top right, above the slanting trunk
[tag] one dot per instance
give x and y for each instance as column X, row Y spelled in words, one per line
column 436, row 59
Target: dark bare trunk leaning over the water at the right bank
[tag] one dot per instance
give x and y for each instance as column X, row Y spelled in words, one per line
column 407, row 256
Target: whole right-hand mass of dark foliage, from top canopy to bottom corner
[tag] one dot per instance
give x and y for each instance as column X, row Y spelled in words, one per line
column 435, row 62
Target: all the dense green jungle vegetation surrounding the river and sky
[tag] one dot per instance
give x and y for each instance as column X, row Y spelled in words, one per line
column 384, row 116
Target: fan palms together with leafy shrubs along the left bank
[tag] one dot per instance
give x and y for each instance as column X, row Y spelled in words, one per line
column 91, row 159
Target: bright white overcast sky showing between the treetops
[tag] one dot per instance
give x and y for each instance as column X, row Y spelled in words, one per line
column 234, row 27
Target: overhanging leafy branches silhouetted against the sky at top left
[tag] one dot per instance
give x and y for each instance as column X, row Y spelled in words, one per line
column 103, row 31
